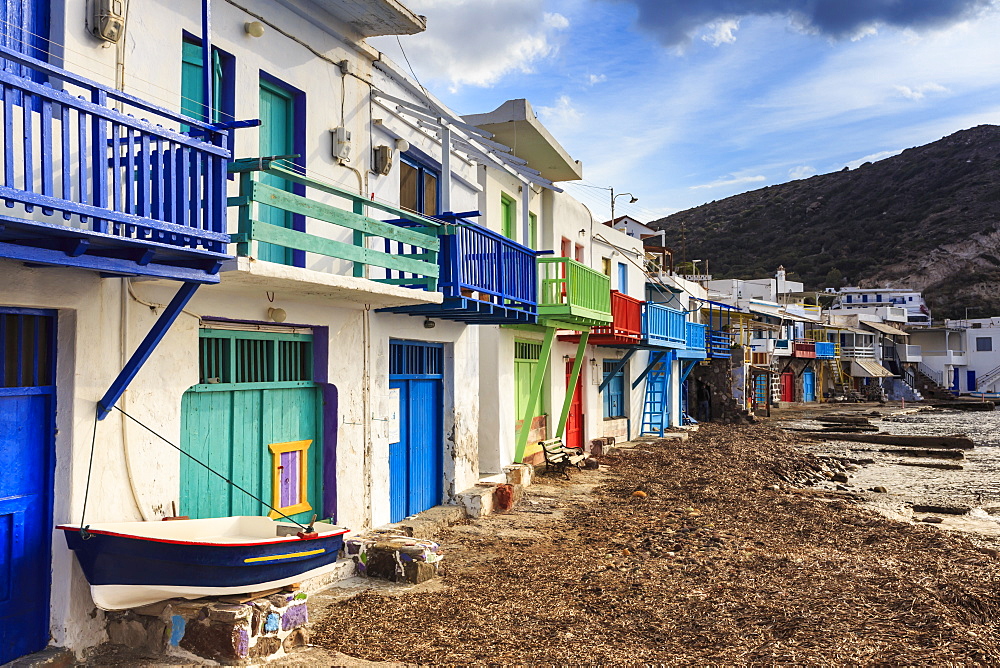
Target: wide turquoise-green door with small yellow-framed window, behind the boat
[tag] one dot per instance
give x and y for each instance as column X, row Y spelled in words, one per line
column 256, row 418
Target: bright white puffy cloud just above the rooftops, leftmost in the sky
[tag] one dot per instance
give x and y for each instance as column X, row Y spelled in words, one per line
column 477, row 42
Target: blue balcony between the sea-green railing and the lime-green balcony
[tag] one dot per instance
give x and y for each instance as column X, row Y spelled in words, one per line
column 485, row 277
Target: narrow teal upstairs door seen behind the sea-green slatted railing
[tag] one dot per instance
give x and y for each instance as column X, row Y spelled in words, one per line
column 277, row 137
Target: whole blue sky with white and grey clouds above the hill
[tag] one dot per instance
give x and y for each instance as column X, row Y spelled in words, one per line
column 682, row 102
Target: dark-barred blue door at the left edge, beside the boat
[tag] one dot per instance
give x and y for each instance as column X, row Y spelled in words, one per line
column 27, row 402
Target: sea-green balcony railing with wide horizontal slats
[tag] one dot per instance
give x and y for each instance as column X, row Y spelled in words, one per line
column 278, row 205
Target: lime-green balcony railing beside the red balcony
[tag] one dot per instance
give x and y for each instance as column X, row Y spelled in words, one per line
column 572, row 292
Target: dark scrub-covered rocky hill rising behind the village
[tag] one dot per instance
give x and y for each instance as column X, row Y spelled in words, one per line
column 927, row 219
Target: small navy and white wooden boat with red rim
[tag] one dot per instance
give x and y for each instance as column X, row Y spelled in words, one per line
column 130, row 564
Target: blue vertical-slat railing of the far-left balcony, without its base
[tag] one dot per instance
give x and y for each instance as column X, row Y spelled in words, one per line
column 131, row 174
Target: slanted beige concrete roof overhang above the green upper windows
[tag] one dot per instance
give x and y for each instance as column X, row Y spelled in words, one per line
column 514, row 124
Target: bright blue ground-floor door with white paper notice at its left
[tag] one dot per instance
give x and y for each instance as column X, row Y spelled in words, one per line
column 416, row 458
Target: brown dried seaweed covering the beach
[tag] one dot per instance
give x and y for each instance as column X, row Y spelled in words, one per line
column 713, row 561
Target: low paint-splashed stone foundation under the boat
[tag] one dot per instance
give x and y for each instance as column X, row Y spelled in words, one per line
column 218, row 629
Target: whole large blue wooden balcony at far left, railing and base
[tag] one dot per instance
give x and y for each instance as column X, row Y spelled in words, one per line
column 119, row 192
